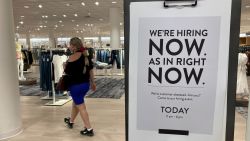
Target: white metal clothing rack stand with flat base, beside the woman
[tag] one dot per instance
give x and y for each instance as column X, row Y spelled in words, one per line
column 56, row 101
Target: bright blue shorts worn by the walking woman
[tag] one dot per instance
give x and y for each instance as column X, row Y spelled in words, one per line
column 78, row 92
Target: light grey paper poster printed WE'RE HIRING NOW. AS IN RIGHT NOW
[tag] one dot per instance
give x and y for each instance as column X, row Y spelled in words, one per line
column 177, row 67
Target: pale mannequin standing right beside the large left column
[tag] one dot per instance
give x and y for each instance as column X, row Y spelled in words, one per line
column 19, row 58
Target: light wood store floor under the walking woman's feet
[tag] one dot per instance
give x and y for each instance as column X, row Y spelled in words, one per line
column 107, row 116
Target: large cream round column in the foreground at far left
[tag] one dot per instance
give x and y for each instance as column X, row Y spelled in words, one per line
column 10, row 115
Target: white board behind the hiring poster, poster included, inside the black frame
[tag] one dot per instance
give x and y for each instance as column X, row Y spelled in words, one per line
column 178, row 70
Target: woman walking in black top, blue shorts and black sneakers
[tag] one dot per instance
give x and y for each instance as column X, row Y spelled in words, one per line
column 79, row 68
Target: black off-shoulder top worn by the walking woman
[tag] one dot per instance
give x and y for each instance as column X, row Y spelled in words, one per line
column 75, row 71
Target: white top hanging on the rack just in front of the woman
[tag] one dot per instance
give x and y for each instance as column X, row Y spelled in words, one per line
column 58, row 62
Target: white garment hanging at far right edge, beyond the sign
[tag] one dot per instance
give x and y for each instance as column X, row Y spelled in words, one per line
column 242, row 85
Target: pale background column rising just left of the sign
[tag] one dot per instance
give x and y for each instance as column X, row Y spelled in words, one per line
column 115, row 28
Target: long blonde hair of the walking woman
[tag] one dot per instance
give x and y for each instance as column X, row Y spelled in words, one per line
column 75, row 41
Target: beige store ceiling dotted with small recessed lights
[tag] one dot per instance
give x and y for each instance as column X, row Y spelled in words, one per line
column 91, row 20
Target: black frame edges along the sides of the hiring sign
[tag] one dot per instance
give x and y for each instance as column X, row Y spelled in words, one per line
column 232, row 70
